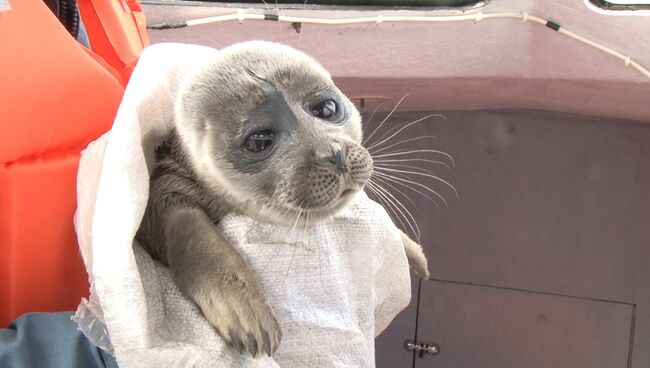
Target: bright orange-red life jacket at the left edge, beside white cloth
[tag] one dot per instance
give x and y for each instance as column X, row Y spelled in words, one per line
column 56, row 97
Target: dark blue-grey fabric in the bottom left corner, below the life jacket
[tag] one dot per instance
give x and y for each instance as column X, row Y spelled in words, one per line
column 40, row 340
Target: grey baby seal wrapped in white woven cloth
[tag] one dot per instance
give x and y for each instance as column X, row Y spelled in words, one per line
column 261, row 131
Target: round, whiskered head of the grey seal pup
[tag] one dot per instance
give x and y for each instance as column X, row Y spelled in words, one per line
column 266, row 129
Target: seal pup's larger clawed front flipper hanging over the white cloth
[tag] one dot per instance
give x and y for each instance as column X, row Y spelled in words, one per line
column 211, row 272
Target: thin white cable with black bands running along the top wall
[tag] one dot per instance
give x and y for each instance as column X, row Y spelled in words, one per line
column 241, row 15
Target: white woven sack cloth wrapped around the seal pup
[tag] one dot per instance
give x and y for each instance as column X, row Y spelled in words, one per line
column 333, row 286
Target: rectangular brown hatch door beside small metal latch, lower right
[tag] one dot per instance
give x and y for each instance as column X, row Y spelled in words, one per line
column 481, row 326
